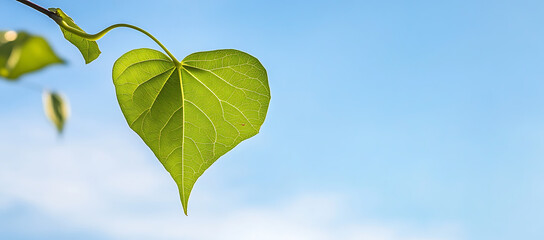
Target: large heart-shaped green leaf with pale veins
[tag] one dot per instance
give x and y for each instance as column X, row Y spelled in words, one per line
column 192, row 113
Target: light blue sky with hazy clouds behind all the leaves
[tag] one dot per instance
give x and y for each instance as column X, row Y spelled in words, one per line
column 389, row 120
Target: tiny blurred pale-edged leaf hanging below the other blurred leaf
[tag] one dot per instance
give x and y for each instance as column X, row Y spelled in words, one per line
column 56, row 109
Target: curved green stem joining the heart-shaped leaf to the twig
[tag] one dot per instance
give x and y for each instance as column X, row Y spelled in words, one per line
column 99, row 35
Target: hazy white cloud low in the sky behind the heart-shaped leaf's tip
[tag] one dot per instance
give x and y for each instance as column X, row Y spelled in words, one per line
column 113, row 189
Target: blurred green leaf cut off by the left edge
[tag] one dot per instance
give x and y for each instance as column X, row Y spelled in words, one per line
column 22, row 53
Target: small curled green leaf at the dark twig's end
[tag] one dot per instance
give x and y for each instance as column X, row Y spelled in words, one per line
column 89, row 49
